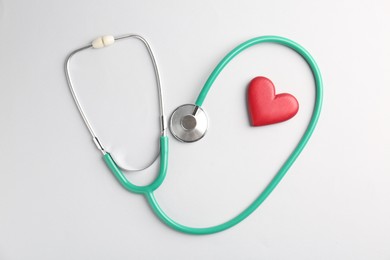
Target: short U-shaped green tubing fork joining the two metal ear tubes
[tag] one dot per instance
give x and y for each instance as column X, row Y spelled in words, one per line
column 147, row 188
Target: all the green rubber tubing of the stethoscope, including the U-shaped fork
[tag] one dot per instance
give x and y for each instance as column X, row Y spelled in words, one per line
column 149, row 189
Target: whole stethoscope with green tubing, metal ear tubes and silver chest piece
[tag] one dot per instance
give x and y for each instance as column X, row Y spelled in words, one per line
column 189, row 123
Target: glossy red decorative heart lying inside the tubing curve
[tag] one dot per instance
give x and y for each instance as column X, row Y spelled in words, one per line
column 265, row 107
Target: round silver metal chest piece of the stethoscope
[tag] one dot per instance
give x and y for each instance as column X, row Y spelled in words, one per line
column 188, row 123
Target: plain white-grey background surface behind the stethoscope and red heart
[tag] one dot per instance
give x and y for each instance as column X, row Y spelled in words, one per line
column 59, row 201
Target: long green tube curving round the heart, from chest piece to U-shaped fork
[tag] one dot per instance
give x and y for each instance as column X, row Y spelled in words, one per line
column 293, row 156
